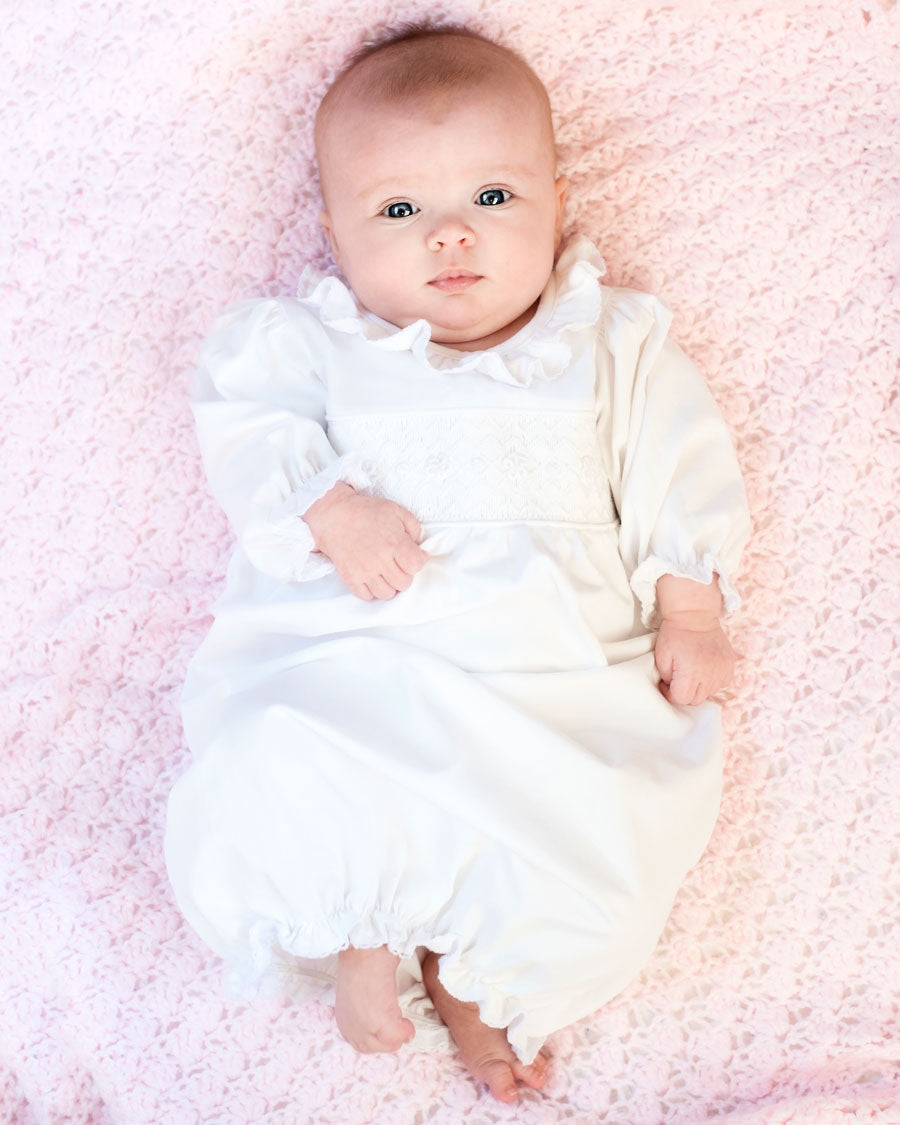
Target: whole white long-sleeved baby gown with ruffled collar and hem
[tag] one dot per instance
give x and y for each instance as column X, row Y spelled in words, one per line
column 482, row 767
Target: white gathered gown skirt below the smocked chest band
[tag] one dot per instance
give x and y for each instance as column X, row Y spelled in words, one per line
column 367, row 778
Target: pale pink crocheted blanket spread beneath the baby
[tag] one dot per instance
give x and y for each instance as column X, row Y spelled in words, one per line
column 740, row 159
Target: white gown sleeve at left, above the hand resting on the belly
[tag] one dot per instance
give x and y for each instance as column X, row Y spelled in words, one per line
column 260, row 411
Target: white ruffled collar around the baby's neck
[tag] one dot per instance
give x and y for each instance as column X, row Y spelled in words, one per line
column 572, row 301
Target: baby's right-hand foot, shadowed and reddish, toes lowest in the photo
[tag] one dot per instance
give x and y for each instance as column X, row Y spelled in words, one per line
column 484, row 1050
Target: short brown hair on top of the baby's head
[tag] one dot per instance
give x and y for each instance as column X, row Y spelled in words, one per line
column 424, row 60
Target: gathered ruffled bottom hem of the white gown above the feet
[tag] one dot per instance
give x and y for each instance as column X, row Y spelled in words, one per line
column 263, row 970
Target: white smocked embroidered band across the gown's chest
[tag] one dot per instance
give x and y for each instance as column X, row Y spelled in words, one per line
column 494, row 465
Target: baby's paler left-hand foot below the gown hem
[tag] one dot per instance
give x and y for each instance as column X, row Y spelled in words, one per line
column 366, row 1004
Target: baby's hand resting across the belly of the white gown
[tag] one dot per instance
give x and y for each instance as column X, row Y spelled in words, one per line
column 374, row 544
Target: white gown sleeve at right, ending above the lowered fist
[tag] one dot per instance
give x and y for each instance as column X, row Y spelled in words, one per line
column 672, row 464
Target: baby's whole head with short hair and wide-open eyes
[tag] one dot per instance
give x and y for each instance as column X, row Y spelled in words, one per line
column 438, row 167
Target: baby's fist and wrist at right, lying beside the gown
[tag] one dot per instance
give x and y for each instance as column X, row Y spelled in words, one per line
column 694, row 656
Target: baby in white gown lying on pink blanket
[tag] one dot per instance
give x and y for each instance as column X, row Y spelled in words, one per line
column 454, row 707
